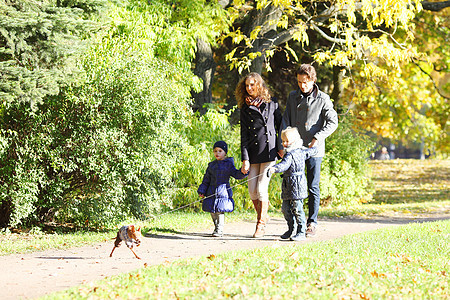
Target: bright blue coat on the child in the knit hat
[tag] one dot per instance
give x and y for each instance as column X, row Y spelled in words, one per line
column 216, row 185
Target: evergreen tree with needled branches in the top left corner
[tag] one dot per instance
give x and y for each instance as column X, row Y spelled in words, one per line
column 38, row 40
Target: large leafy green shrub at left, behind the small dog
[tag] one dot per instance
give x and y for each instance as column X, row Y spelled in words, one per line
column 102, row 149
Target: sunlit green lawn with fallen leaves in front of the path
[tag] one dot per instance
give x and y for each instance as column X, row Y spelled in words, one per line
column 406, row 262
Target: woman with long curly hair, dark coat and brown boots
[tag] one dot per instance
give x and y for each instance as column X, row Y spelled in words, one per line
column 260, row 144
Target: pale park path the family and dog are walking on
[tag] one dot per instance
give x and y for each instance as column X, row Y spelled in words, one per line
column 32, row 275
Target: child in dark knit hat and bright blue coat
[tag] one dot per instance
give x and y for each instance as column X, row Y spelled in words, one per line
column 215, row 187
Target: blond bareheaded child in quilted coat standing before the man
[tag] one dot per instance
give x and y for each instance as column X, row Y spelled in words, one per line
column 294, row 187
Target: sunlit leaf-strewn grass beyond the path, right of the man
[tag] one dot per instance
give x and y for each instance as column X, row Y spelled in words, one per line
column 403, row 189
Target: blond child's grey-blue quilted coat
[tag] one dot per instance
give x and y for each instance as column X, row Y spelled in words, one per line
column 294, row 186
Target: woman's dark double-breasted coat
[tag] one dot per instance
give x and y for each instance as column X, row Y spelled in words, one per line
column 259, row 128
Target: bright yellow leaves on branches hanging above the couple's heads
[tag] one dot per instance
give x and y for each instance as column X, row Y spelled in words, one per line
column 353, row 39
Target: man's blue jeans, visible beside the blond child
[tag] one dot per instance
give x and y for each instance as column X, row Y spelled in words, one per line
column 313, row 165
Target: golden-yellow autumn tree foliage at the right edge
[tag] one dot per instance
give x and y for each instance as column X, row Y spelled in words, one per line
column 410, row 103
